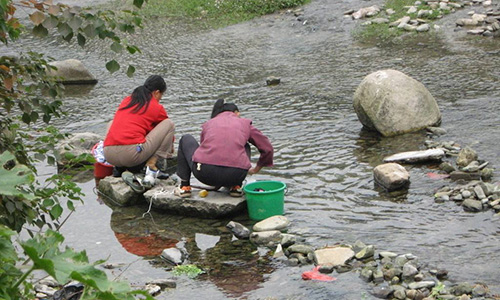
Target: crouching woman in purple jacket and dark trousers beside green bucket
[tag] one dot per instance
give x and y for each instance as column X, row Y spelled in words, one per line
column 223, row 156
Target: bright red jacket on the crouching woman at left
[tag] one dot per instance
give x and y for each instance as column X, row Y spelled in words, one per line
column 131, row 128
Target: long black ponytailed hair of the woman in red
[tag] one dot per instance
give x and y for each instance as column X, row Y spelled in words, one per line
column 142, row 94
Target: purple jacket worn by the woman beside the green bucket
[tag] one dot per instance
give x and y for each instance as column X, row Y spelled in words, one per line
column 223, row 140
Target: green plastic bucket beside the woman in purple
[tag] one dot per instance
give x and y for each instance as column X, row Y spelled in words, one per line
column 265, row 199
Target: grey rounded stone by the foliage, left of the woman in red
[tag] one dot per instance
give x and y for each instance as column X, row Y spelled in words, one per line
column 75, row 145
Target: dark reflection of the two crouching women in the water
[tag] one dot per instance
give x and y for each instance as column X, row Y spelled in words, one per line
column 234, row 266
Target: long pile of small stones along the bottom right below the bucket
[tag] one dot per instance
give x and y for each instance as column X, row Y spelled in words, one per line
column 391, row 275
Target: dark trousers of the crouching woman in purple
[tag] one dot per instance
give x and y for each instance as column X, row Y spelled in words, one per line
column 212, row 175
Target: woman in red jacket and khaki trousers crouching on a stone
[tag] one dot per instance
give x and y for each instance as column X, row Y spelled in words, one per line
column 141, row 131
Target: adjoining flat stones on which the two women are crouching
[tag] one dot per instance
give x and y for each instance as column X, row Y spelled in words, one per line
column 115, row 192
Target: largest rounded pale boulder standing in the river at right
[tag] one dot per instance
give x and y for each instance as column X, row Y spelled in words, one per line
column 393, row 103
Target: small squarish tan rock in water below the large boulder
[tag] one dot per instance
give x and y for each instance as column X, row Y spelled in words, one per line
column 391, row 176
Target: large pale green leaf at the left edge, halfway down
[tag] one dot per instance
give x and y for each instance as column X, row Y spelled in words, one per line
column 14, row 176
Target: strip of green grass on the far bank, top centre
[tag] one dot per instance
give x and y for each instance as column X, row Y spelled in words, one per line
column 216, row 13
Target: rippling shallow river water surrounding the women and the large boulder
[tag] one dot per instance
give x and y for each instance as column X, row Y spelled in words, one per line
column 321, row 151
